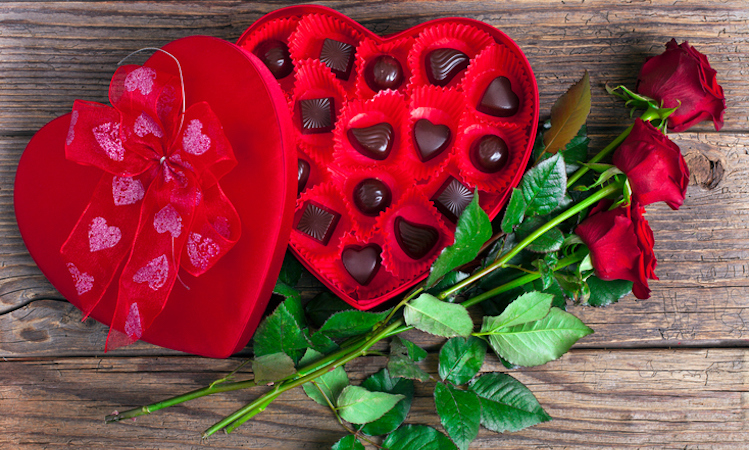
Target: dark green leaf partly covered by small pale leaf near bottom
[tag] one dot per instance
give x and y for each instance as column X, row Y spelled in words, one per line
column 391, row 420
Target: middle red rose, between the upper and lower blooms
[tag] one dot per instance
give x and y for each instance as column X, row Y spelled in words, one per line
column 654, row 165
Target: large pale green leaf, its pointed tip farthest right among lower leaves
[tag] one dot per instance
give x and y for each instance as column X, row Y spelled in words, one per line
column 538, row 342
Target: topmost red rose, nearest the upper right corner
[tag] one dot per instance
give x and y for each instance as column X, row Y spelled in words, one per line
column 682, row 74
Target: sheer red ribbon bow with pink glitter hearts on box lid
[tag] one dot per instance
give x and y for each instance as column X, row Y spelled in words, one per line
column 158, row 205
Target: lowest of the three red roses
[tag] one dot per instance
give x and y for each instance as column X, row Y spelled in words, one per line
column 621, row 245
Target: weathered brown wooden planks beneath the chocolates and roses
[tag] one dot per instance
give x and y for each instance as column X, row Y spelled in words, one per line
column 668, row 372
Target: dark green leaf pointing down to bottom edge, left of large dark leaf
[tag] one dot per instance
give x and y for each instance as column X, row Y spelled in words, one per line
column 460, row 413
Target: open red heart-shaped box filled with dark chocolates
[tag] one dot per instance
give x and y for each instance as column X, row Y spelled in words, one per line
column 394, row 137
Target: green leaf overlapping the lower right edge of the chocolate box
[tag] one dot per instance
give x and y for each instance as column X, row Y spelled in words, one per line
column 473, row 229
